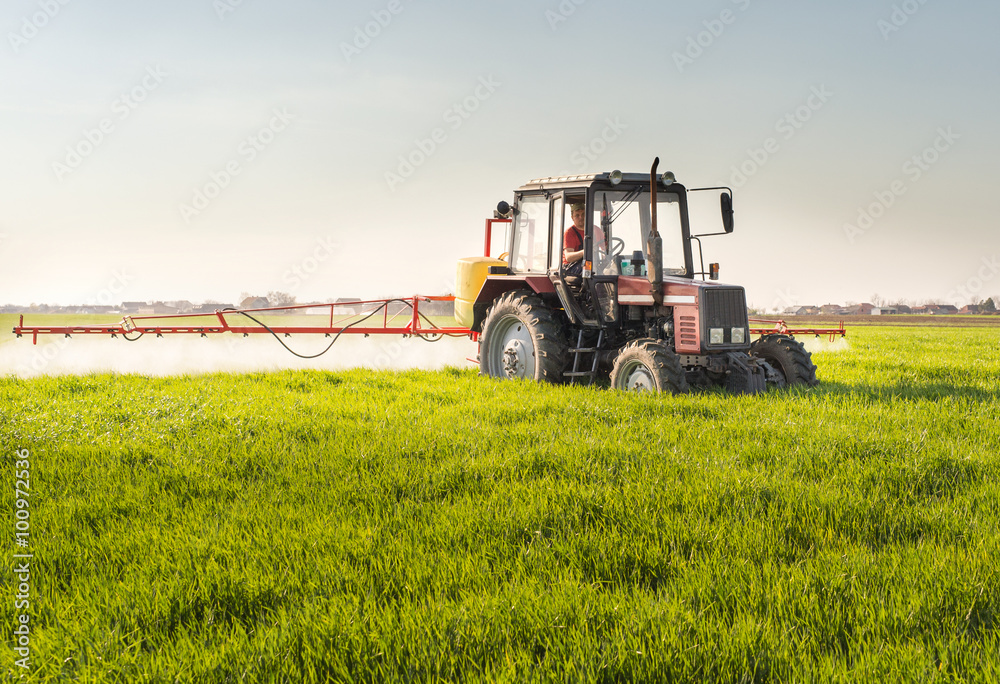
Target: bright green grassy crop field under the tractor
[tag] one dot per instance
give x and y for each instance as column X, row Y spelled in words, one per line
column 364, row 526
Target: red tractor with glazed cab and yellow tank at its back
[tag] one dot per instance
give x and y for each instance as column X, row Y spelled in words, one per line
column 599, row 280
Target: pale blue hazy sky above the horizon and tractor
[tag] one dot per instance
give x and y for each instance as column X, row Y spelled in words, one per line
column 200, row 149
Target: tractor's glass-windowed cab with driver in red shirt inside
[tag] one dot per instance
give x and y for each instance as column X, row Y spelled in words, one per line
column 584, row 234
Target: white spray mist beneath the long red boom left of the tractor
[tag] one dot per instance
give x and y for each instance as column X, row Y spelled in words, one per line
column 227, row 353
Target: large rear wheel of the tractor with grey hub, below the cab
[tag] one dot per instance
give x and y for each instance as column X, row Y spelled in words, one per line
column 522, row 338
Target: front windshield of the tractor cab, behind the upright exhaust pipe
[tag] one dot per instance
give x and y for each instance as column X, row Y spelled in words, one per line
column 624, row 217
